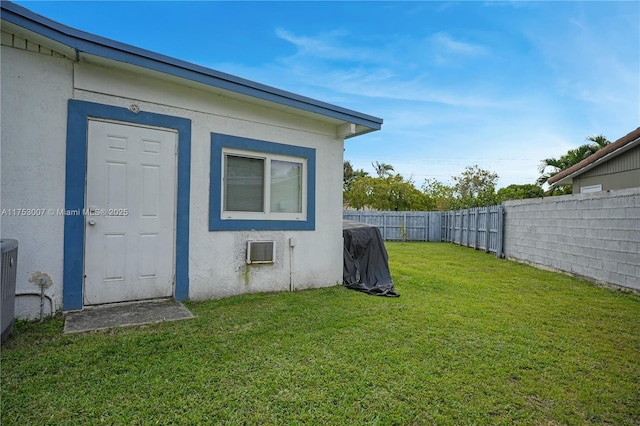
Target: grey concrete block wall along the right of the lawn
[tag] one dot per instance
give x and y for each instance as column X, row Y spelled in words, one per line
column 595, row 236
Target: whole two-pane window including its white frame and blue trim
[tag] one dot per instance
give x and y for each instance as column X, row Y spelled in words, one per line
column 261, row 185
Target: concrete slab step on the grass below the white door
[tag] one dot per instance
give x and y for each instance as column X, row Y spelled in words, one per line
column 123, row 315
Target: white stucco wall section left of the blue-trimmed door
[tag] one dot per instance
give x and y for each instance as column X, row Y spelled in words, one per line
column 35, row 89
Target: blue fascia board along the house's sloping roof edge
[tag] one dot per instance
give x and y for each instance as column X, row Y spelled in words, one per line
column 89, row 44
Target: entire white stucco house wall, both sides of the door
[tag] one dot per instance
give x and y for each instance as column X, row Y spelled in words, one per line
column 33, row 174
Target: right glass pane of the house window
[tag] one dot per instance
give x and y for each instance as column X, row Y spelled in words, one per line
column 286, row 187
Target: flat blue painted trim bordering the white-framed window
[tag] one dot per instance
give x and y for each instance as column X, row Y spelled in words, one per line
column 216, row 223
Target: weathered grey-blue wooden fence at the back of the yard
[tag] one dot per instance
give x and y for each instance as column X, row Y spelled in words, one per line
column 481, row 228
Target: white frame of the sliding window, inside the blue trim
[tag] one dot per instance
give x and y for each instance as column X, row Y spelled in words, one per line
column 266, row 214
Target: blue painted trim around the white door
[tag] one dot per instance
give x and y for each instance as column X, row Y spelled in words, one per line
column 79, row 113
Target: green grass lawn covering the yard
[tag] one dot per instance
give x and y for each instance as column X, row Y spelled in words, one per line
column 472, row 340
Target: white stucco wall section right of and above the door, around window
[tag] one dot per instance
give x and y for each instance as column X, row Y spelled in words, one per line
column 217, row 265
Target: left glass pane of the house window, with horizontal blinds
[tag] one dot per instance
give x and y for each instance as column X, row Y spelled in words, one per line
column 244, row 184
